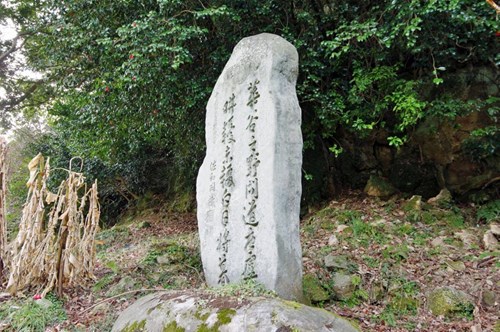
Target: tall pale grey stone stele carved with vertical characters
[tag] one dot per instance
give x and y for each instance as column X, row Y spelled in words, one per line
column 249, row 186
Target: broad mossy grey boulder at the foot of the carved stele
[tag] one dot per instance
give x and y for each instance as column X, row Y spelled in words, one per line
column 184, row 311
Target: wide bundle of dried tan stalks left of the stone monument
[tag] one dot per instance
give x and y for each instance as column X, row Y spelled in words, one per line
column 55, row 244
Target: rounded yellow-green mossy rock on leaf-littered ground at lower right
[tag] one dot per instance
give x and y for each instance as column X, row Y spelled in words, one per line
column 448, row 301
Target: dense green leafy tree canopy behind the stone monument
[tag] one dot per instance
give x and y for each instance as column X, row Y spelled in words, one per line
column 125, row 83
